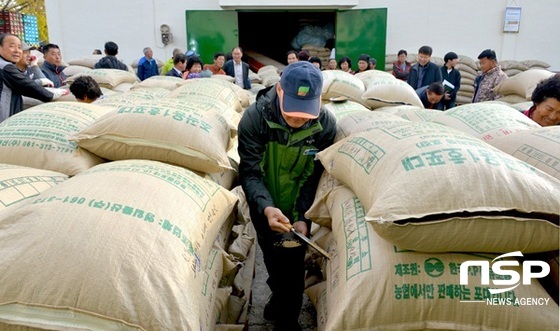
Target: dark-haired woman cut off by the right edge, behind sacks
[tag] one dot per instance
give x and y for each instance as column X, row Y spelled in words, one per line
column 546, row 102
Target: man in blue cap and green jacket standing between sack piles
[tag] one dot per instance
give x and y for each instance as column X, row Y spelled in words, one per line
column 279, row 136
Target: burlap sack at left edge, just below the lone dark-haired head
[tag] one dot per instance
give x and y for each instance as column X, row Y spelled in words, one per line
column 38, row 137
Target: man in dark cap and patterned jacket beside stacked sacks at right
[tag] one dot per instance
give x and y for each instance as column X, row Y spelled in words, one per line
column 492, row 75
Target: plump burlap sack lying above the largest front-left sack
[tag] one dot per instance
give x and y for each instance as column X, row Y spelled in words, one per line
column 172, row 131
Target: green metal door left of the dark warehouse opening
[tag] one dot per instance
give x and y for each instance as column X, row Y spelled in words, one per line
column 211, row 31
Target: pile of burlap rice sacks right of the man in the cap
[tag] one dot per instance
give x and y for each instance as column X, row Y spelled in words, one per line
column 409, row 195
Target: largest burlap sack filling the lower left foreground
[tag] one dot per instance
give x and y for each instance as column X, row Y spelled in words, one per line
column 121, row 247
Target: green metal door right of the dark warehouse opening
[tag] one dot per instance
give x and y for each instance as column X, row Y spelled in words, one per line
column 362, row 31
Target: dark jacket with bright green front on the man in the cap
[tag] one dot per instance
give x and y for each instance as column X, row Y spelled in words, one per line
column 278, row 166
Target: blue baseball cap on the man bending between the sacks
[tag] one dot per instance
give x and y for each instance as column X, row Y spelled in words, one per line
column 302, row 83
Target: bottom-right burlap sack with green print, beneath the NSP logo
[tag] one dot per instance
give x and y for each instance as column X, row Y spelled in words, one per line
column 375, row 285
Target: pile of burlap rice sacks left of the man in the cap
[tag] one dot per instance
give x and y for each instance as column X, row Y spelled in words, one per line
column 138, row 197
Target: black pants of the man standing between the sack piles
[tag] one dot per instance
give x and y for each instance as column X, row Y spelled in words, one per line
column 286, row 269
